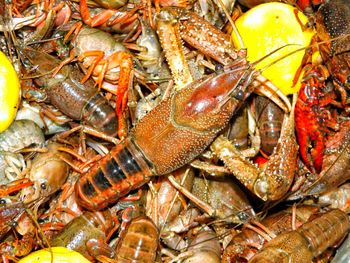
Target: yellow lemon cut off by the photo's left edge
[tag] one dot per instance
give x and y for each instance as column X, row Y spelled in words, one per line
column 10, row 91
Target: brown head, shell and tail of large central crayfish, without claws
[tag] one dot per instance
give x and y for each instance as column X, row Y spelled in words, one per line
column 171, row 135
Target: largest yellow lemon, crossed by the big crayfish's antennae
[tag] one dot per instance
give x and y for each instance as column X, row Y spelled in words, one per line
column 267, row 27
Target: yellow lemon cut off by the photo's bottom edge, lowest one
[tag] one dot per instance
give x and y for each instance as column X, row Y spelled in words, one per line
column 60, row 255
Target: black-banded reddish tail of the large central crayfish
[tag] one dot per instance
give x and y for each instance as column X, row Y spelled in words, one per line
column 123, row 169
